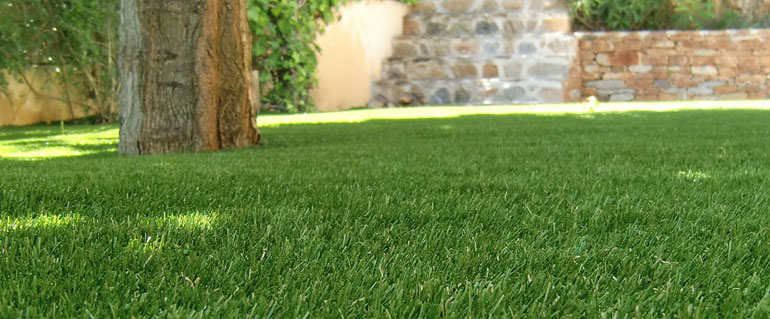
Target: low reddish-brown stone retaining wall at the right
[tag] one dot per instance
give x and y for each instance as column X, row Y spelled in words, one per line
column 672, row 65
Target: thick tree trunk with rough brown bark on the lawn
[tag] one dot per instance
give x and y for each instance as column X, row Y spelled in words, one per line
column 185, row 76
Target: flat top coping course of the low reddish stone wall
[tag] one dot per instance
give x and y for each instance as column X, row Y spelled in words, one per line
column 644, row 34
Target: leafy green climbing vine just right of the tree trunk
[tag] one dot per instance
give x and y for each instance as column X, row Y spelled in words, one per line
column 285, row 50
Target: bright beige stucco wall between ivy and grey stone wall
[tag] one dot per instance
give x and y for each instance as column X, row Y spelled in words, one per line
column 352, row 52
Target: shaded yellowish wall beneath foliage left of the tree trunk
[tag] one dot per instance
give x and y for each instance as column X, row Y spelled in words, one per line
column 19, row 105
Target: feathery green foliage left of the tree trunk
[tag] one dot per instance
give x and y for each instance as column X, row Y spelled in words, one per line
column 79, row 38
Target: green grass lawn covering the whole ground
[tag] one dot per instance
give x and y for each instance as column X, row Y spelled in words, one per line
column 588, row 215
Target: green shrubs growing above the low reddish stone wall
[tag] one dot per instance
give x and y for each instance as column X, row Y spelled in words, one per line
column 654, row 15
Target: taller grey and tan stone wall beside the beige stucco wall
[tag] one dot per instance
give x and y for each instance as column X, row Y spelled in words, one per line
column 479, row 52
